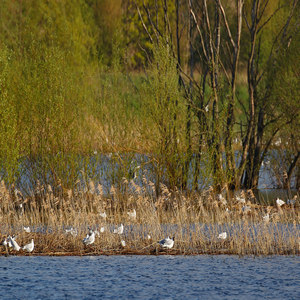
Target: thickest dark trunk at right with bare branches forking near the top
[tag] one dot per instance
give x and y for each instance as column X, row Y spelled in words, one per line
column 253, row 151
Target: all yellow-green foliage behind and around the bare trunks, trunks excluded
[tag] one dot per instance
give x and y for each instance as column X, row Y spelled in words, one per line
column 64, row 91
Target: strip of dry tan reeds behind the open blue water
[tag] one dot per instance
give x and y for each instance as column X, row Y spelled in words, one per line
column 59, row 219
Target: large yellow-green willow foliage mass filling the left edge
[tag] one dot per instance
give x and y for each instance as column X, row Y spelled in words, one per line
column 44, row 91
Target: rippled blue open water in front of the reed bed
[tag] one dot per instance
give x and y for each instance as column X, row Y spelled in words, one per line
column 150, row 277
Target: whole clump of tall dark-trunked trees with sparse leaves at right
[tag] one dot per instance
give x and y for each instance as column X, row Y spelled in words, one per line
column 218, row 44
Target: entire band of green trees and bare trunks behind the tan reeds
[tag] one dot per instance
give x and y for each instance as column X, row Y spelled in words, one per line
column 212, row 83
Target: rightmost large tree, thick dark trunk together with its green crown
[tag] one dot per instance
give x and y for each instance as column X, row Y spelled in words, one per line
column 259, row 16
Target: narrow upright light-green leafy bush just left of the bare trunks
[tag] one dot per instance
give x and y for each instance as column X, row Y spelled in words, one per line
column 166, row 109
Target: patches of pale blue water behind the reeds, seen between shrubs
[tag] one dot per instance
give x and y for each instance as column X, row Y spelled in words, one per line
column 110, row 169
